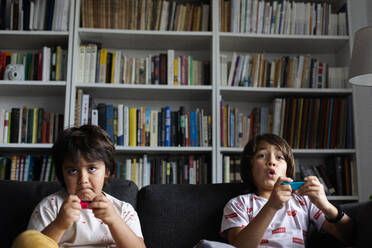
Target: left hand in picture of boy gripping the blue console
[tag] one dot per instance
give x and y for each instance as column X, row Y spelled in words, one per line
column 280, row 193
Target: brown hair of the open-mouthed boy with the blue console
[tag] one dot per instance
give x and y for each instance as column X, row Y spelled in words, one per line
column 250, row 150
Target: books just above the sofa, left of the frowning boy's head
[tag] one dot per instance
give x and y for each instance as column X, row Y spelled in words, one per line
column 27, row 168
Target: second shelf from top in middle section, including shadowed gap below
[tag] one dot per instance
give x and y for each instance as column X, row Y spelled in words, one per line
column 138, row 92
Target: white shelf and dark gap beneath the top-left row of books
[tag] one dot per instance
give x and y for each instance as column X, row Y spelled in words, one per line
column 32, row 39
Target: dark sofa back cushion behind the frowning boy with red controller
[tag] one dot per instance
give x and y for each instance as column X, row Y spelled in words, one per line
column 20, row 198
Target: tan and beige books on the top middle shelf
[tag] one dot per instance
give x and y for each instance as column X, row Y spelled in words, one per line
column 174, row 15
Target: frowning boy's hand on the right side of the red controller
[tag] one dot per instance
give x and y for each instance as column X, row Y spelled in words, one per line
column 103, row 209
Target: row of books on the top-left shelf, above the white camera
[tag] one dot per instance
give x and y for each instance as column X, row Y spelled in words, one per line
column 34, row 15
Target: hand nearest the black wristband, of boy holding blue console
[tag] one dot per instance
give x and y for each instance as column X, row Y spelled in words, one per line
column 315, row 191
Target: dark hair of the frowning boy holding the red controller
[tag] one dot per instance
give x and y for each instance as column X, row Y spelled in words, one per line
column 89, row 142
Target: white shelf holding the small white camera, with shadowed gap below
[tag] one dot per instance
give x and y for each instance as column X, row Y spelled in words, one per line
column 32, row 88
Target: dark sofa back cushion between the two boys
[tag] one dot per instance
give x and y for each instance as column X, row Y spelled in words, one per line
column 181, row 215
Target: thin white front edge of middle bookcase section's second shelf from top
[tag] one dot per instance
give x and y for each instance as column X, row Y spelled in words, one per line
column 144, row 87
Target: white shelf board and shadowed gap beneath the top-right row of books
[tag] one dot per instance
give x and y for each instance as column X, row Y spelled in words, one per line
column 278, row 43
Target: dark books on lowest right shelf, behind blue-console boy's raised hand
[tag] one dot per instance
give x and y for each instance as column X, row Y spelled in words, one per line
column 337, row 174
